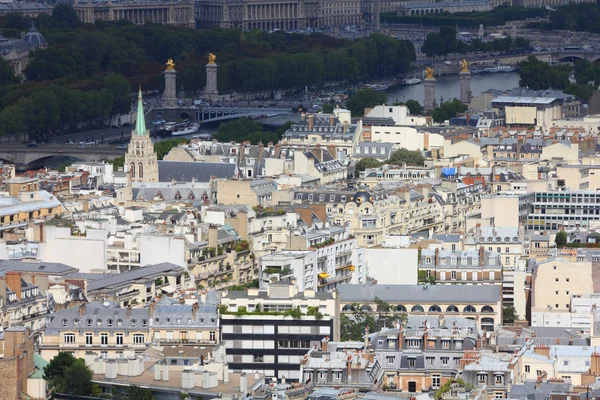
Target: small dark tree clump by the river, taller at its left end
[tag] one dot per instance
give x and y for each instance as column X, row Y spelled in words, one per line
column 445, row 42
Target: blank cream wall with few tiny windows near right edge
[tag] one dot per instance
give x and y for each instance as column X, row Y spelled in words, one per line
column 573, row 278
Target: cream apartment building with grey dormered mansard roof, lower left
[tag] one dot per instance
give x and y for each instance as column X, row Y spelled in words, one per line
column 103, row 329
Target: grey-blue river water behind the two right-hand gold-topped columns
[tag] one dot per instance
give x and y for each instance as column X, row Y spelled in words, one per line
column 448, row 87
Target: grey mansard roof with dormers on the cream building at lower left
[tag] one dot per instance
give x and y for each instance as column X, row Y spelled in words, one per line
column 98, row 317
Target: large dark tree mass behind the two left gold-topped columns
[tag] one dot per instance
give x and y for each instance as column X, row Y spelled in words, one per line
column 84, row 65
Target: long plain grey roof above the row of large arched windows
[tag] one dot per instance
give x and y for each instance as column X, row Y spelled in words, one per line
column 420, row 293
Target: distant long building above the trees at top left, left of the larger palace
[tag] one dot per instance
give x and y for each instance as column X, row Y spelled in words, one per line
column 171, row 12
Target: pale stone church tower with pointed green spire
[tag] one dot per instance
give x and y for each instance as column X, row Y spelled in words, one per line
column 141, row 158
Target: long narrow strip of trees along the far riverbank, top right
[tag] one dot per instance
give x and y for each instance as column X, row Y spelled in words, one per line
column 498, row 16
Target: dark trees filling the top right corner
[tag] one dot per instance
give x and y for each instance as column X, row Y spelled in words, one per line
column 574, row 17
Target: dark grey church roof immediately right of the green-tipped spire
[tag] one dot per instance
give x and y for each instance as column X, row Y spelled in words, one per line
column 198, row 171
